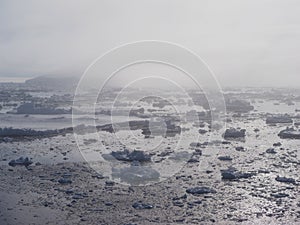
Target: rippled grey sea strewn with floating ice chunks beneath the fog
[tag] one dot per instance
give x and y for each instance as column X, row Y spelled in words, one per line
column 250, row 174
